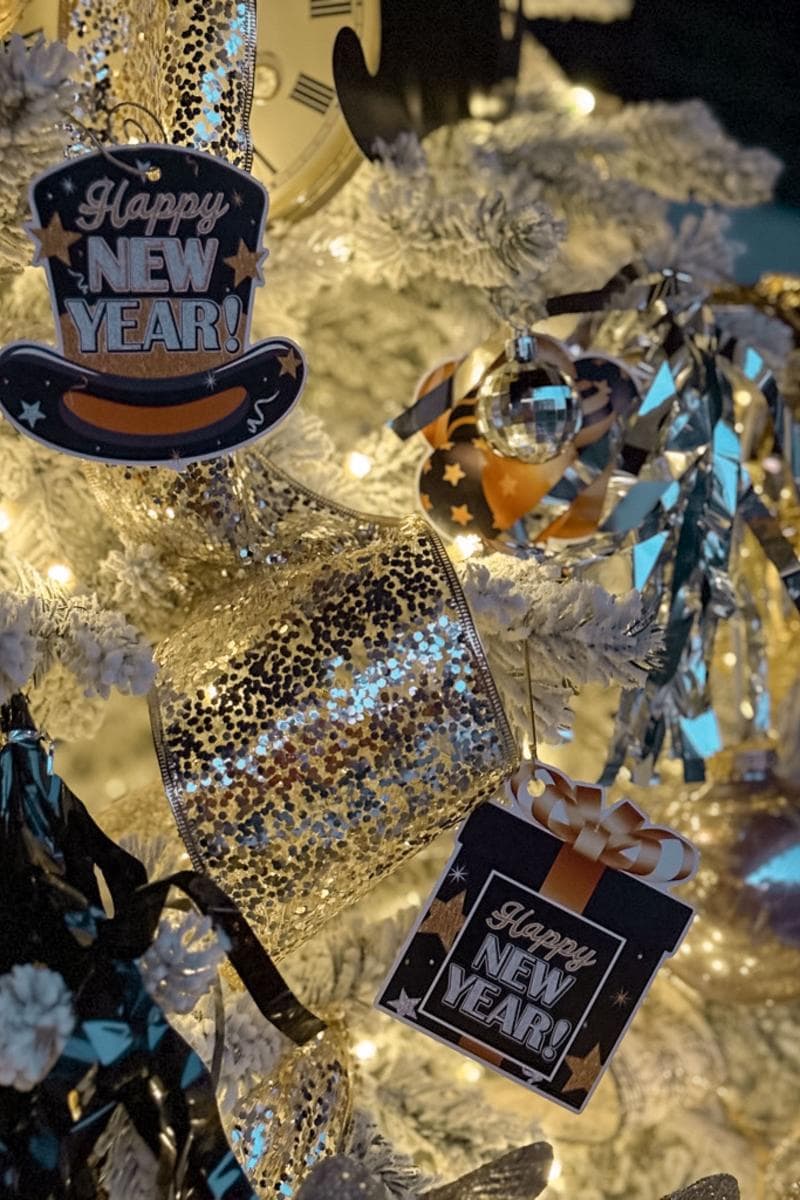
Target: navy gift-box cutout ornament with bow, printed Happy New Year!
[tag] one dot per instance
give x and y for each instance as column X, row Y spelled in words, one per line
column 544, row 934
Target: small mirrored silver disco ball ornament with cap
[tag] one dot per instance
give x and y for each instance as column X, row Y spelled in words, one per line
column 527, row 409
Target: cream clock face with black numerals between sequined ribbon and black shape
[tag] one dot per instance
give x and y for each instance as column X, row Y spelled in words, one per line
column 303, row 149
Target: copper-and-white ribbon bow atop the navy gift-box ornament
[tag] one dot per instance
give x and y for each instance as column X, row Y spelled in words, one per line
column 621, row 837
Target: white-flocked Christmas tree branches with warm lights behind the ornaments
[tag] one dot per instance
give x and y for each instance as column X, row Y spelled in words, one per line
column 413, row 262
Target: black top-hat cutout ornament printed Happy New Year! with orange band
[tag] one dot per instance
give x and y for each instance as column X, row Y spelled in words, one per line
column 153, row 255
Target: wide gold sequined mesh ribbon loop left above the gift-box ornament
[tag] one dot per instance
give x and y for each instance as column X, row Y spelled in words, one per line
column 322, row 725
